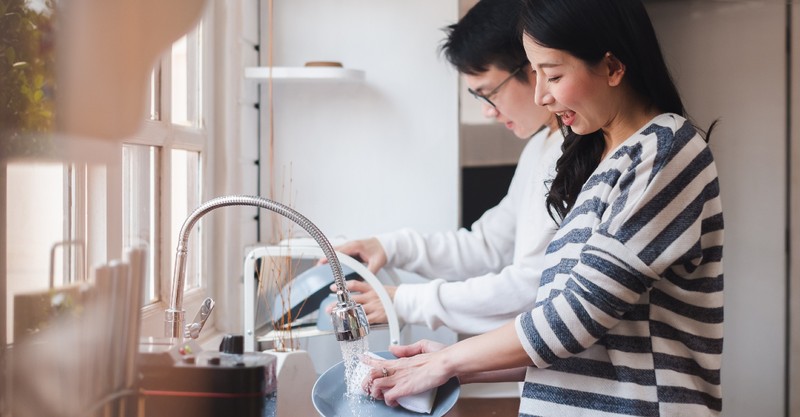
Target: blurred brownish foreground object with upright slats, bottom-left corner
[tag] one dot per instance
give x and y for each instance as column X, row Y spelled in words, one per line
column 78, row 346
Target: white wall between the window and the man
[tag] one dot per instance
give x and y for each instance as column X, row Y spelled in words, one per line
column 363, row 158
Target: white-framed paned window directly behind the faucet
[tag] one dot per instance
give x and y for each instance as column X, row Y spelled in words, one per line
column 162, row 172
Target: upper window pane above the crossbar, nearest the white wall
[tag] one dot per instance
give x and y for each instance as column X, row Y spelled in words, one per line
column 186, row 65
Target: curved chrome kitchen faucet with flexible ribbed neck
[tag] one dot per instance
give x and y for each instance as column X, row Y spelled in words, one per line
column 349, row 320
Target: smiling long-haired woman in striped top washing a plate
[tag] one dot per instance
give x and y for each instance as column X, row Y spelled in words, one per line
column 628, row 316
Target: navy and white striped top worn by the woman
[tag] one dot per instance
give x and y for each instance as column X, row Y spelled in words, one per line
column 629, row 311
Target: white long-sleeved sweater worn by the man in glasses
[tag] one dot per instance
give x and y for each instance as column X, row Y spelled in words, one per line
column 484, row 277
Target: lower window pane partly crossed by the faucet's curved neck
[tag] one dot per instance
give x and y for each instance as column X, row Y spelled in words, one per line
column 185, row 196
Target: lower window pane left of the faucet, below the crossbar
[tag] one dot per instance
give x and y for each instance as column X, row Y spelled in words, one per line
column 140, row 209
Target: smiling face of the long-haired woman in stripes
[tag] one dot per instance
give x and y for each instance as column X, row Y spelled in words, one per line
column 577, row 93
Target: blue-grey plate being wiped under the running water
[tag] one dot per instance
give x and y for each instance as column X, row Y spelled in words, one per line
column 329, row 398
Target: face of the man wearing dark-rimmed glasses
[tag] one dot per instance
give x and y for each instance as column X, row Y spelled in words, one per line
column 514, row 104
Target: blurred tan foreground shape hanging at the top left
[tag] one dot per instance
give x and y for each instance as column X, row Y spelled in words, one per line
column 105, row 51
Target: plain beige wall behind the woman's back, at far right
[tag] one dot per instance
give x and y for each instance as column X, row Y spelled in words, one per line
column 728, row 59
